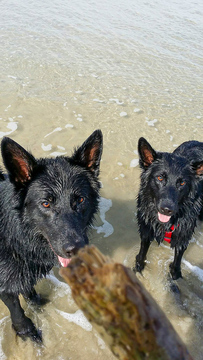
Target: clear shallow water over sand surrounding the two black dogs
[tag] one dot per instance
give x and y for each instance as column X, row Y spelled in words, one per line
column 131, row 69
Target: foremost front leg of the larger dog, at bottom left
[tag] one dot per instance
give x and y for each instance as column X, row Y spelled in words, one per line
column 23, row 326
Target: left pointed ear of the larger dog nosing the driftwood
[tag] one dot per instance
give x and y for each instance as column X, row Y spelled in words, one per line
column 18, row 162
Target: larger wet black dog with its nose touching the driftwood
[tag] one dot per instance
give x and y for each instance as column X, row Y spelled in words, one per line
column 46, row 207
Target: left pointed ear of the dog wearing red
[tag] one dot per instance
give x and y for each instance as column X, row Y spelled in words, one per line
column 146, row 152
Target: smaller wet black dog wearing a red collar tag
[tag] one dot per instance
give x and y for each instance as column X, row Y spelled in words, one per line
column 170, row 198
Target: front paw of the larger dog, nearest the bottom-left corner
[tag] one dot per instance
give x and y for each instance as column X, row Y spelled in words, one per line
column 27, row 329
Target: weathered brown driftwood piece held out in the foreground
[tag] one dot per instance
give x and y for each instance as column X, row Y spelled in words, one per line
column 112, row 297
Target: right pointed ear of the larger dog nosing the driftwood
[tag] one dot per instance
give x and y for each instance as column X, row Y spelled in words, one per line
column 89, row 154
